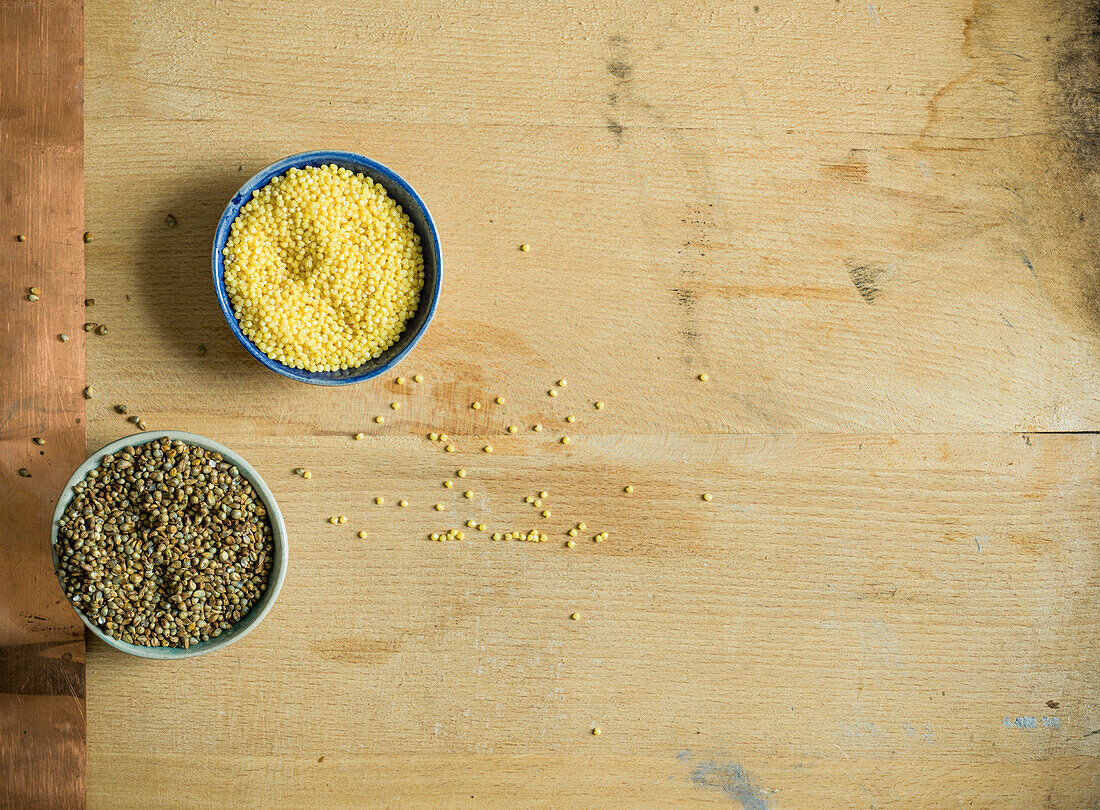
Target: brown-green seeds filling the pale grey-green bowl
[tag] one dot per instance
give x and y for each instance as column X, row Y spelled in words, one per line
column 164, row 545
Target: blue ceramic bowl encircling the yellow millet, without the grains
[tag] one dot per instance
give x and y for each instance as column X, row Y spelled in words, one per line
column 410, row 202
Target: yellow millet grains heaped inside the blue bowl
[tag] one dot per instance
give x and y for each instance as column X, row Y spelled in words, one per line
column 324, row 269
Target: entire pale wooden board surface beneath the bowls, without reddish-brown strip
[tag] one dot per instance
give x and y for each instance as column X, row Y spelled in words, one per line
column 874, row 224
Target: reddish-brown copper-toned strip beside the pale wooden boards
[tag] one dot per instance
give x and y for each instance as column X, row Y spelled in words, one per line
column 42, row 662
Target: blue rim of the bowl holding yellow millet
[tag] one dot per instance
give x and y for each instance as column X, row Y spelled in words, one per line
column 261, row 179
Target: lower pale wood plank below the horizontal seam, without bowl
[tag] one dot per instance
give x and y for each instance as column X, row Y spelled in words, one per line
column 860, row 606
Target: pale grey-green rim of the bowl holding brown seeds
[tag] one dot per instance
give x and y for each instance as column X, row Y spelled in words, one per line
column 255, row 617
